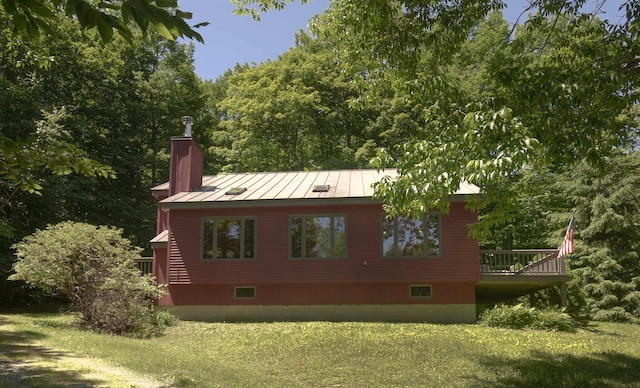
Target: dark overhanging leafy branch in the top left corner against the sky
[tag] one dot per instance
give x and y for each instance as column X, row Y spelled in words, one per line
column 161, row 17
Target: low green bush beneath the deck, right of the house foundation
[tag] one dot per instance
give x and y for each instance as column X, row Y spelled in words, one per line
column 521, row 317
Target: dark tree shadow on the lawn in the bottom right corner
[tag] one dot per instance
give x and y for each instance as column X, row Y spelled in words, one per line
column 541, row 369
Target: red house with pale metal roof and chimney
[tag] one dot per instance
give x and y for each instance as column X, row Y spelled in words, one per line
column 309, row 245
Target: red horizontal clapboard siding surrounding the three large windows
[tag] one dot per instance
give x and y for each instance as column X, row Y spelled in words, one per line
column 458, row 264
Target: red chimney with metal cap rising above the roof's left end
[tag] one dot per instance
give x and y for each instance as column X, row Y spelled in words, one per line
column 186, row 162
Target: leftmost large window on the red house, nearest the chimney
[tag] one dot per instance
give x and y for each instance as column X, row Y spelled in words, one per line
column 228, row 238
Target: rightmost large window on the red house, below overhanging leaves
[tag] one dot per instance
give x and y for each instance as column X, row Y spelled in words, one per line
column 411, row 237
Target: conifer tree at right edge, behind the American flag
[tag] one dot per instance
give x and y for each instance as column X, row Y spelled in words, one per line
column 607, row 260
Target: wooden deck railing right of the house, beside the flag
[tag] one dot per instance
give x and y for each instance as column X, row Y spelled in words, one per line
column 521, row 262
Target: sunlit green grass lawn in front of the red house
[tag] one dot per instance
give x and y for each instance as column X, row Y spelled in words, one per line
column 324, row 354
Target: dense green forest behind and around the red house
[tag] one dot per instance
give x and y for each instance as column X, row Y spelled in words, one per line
column 86, row 127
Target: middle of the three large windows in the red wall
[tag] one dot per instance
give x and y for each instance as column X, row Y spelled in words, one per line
column 319, row 237
